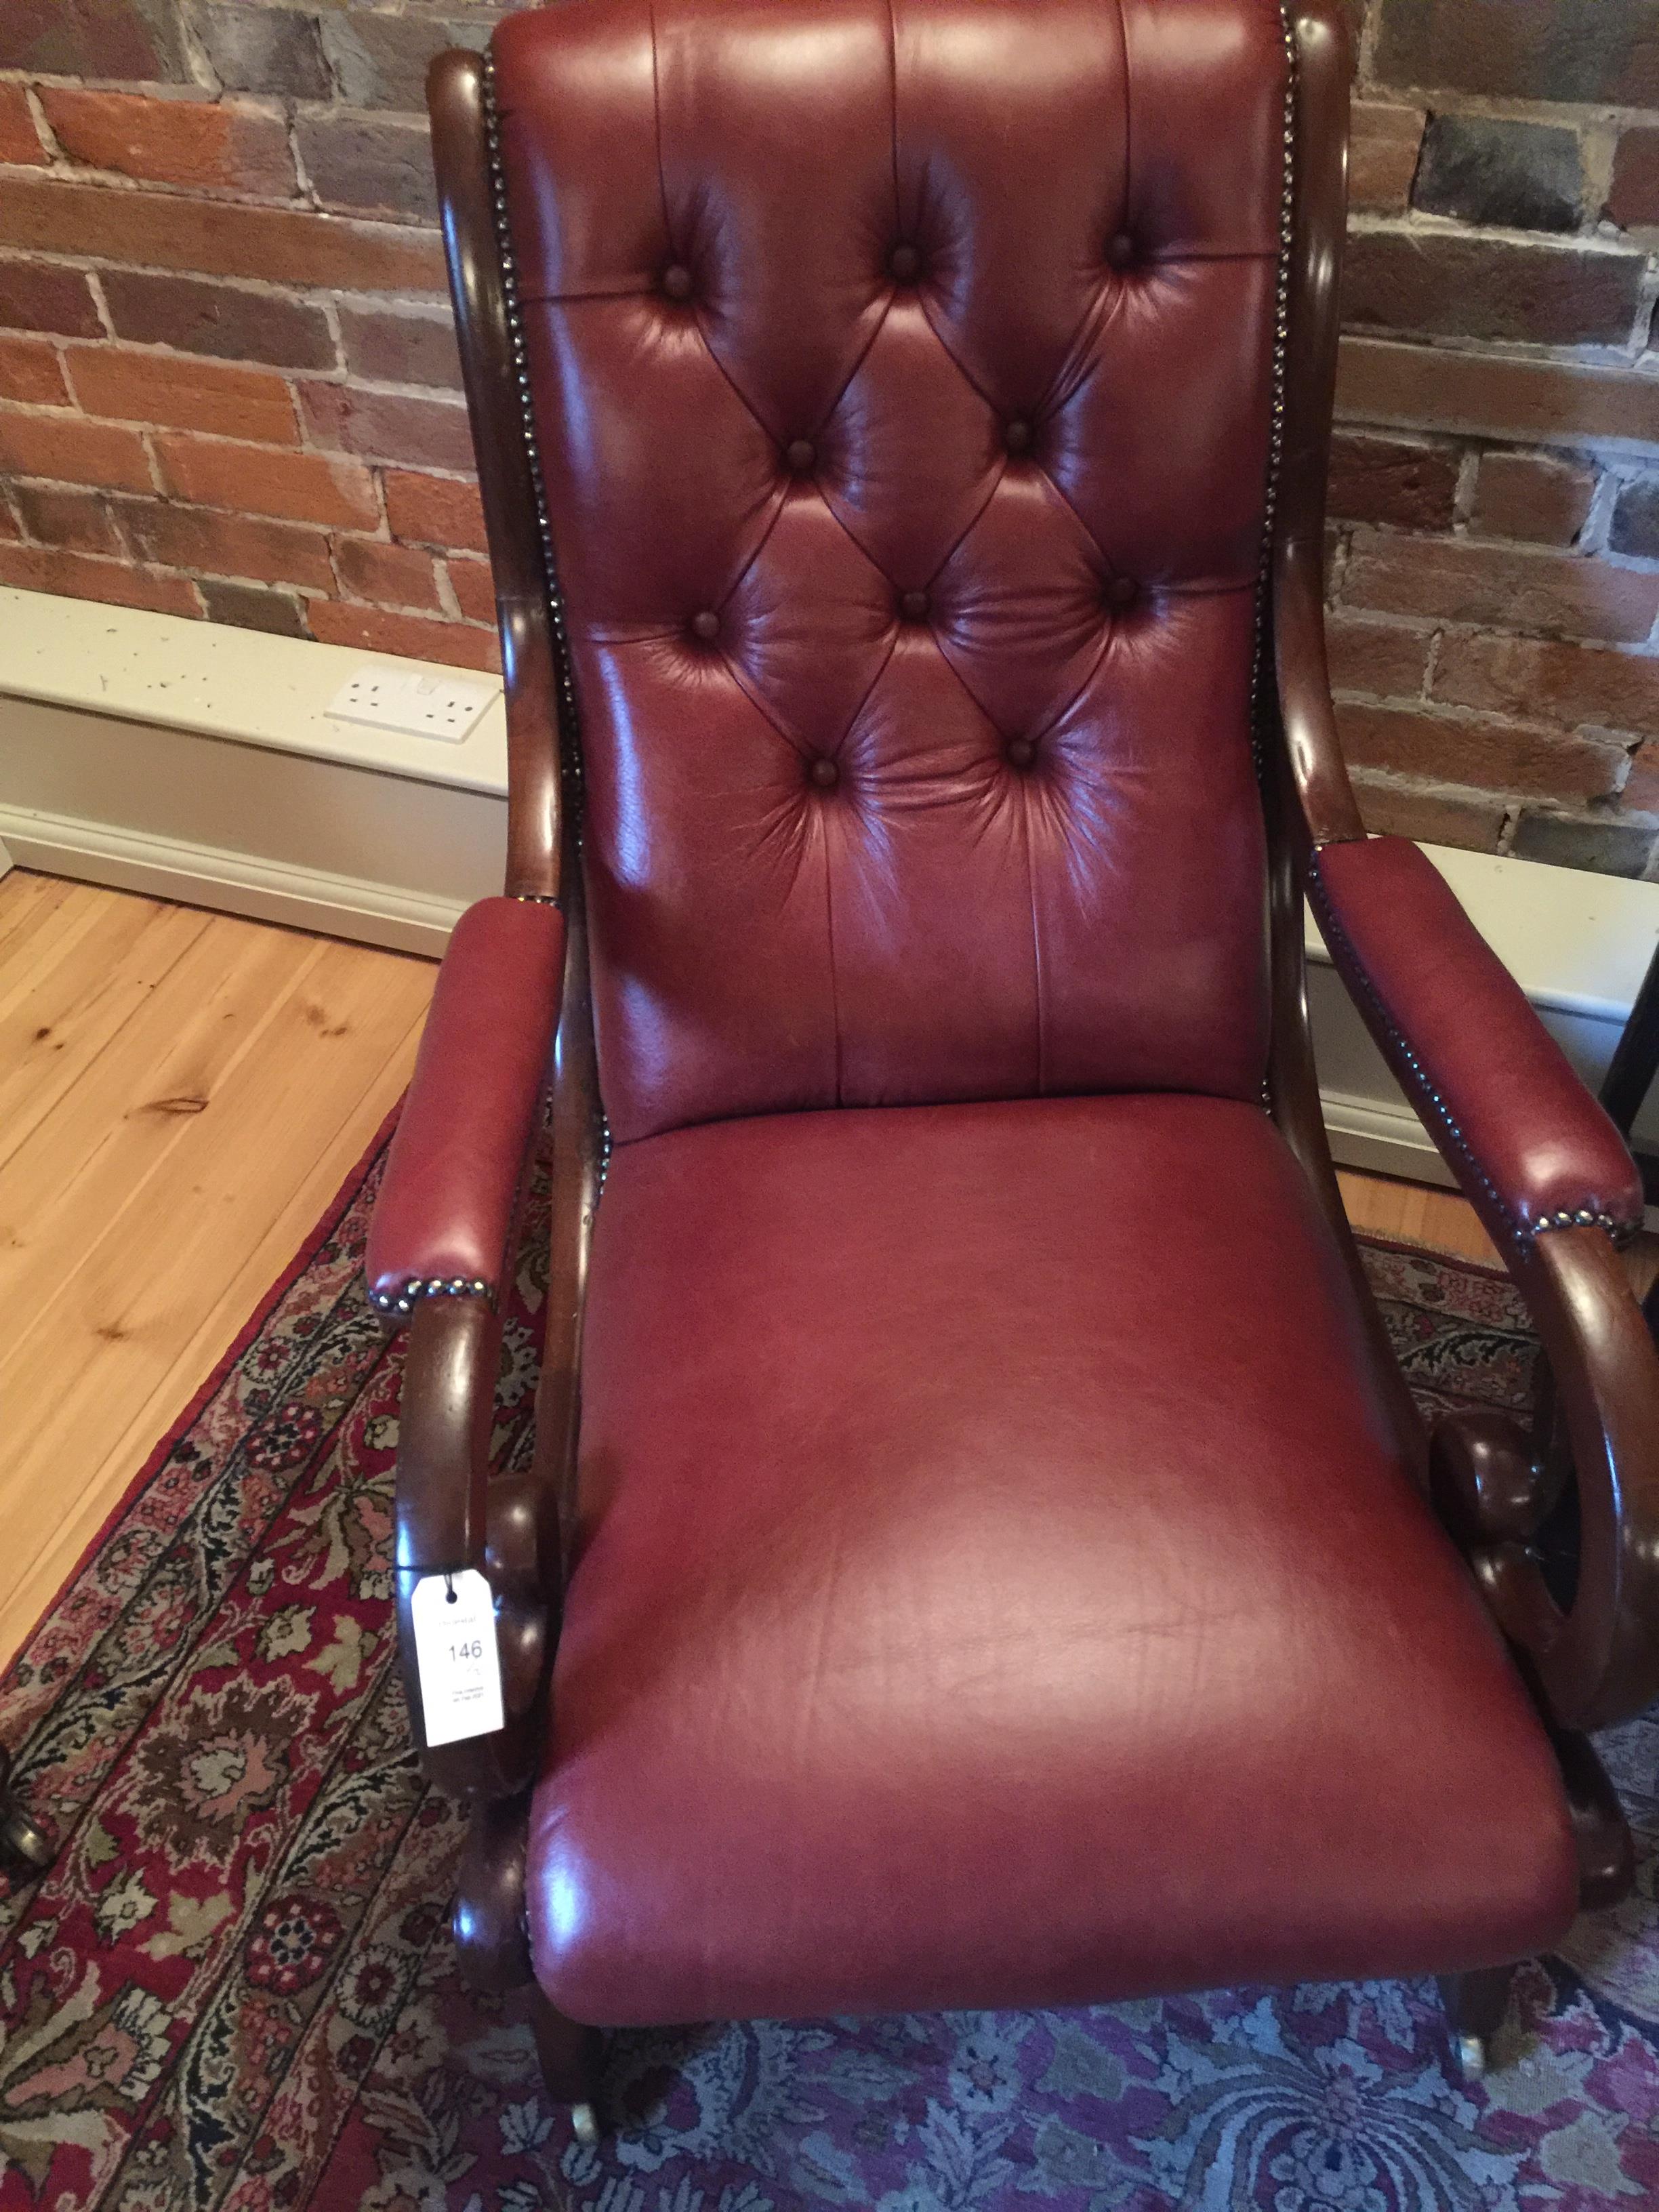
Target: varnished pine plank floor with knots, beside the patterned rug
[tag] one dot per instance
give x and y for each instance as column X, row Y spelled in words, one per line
column 180, row 1098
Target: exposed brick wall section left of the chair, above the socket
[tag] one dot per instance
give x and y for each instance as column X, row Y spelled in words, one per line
column 229, row 384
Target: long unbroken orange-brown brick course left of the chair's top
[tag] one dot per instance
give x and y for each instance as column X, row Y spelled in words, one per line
column 218, row 238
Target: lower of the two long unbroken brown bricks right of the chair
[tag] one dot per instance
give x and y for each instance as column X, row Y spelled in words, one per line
column 1501, row 587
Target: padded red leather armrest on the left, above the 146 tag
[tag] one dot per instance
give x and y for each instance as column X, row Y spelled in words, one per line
column 450, row 1191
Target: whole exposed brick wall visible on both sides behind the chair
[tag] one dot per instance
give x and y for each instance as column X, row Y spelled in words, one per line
column 229, row 384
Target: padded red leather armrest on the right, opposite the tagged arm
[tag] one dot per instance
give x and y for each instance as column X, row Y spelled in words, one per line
column 1514, row 1123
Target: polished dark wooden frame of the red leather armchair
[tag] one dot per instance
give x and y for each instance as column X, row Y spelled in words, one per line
column 1492, row 1483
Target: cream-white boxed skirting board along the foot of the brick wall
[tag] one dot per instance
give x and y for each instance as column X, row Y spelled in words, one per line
column 200, row 764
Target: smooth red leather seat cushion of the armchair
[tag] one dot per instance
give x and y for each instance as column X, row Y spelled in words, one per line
column 999, row 1587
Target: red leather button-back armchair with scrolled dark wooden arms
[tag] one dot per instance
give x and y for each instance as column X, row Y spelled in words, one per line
column 979, row 1547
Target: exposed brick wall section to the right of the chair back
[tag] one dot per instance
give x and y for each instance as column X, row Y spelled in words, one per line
column 1496, row 488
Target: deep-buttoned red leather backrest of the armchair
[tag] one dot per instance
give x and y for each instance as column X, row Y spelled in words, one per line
column 904, row 386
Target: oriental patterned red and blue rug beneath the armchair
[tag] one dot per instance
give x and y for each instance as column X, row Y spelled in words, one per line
column 236, row 1987
